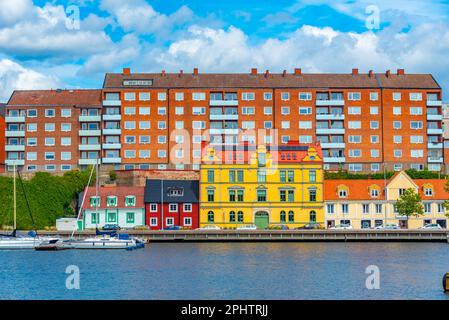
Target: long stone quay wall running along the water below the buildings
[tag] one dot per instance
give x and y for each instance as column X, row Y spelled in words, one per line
column 278, row 235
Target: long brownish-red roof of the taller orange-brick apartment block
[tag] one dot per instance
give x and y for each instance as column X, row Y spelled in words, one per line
column 274, row 80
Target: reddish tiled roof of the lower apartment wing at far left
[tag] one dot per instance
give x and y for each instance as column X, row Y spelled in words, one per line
column 56, row 98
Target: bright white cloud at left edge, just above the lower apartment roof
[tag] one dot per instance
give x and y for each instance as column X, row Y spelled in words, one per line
column 14, row 76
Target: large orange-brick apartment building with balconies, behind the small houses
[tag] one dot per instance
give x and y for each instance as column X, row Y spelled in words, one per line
column 364, row 121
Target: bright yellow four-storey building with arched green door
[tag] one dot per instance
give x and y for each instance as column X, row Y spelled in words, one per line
column 283, row 186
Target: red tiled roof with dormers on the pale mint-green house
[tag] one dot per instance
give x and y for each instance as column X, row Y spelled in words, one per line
column 119, row 192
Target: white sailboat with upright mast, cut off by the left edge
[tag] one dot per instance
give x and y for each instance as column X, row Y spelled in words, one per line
column 14, row 241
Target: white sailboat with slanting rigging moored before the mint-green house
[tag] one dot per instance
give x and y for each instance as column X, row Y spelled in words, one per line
column 102, row 239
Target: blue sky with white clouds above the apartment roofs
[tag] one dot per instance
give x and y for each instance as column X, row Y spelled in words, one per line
column 71, row 44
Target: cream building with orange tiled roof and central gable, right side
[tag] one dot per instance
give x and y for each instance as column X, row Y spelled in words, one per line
column 370, row 203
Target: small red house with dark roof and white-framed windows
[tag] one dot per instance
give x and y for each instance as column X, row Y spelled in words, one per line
column 175, row 202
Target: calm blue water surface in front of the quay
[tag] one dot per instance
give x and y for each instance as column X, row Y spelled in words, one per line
column 230, row 271
